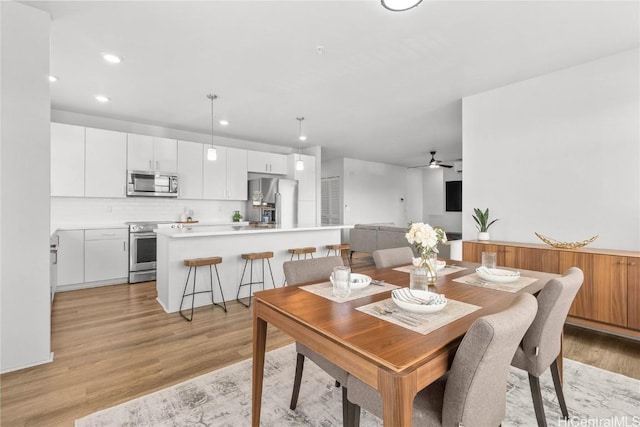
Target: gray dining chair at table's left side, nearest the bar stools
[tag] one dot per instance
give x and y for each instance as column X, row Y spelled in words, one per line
column 307, row 271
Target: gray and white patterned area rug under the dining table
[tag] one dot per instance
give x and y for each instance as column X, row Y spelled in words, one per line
column 223, row 398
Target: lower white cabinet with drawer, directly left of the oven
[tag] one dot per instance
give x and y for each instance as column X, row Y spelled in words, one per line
column 106, row 254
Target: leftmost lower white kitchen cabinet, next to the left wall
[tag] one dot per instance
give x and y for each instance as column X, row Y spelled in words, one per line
column 70, row 256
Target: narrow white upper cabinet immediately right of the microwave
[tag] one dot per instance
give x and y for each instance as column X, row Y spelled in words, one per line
column 190, row 157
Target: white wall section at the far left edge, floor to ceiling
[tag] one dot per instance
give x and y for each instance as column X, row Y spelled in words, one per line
column 24, row 210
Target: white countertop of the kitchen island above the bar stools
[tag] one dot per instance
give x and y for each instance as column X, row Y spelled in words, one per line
column 226, row 230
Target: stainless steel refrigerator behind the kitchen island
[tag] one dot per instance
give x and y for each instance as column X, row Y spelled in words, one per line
column 273, row 200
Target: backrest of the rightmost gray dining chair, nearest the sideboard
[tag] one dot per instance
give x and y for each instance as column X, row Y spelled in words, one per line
column 541, row 344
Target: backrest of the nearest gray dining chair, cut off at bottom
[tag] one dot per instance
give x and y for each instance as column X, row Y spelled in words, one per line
column 475, row 392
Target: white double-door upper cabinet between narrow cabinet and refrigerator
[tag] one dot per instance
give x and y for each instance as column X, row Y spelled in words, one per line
column 225, row 178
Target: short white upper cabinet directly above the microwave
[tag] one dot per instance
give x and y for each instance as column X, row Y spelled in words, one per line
column 151, row 153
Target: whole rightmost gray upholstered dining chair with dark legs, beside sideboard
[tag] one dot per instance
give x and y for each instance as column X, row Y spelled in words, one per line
column 541, row 345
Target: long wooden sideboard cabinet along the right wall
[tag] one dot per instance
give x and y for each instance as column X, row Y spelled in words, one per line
column 609, row 298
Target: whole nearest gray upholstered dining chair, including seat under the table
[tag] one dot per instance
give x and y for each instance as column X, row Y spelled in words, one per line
column 480, row 366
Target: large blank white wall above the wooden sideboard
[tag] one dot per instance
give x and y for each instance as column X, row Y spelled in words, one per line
column 558, row 154
